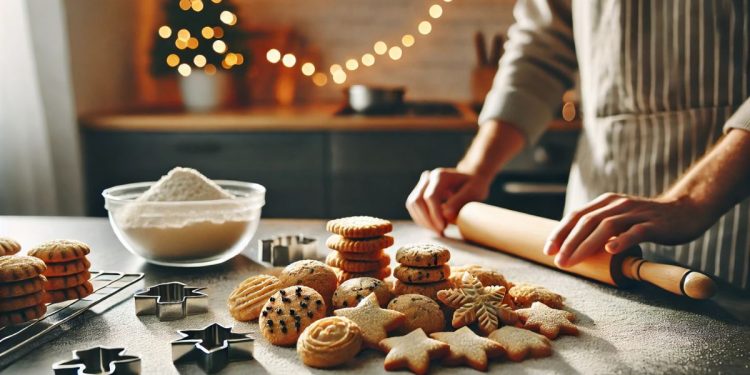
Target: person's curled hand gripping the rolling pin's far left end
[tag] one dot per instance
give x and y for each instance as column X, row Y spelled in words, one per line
column 440, row 194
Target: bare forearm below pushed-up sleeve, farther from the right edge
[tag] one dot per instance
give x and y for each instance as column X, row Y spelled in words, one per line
column 495, row 144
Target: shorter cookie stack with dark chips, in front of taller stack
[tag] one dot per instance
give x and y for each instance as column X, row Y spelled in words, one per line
column 423, row 269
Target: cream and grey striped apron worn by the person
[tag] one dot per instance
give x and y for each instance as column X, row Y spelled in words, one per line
column 658, row 80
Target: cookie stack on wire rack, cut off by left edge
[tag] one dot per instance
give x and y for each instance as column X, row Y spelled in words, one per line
column 22, row 293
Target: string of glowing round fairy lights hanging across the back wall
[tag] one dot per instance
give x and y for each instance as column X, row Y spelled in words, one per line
column 337, row 72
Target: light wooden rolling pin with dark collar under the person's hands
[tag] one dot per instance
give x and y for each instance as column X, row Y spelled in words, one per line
column 524, row 236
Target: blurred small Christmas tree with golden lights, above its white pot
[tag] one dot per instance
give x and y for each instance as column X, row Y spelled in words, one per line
column 199, row 34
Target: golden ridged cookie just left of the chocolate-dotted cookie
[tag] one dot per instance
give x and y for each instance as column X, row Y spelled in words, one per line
column 248, row 298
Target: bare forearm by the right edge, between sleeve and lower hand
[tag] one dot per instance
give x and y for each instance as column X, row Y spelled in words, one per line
column 720, row 179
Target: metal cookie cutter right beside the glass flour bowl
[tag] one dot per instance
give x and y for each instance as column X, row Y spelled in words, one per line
column 283, row 250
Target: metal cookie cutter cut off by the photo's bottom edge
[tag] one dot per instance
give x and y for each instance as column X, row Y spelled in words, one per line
column 99, row 360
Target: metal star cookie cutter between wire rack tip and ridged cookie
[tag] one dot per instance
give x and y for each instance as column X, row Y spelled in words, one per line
column 171, row 301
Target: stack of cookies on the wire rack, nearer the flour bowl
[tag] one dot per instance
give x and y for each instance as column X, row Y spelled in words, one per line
column 67, row 269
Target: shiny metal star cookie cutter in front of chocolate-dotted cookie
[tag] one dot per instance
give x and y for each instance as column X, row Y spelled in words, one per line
column 212, row 347
